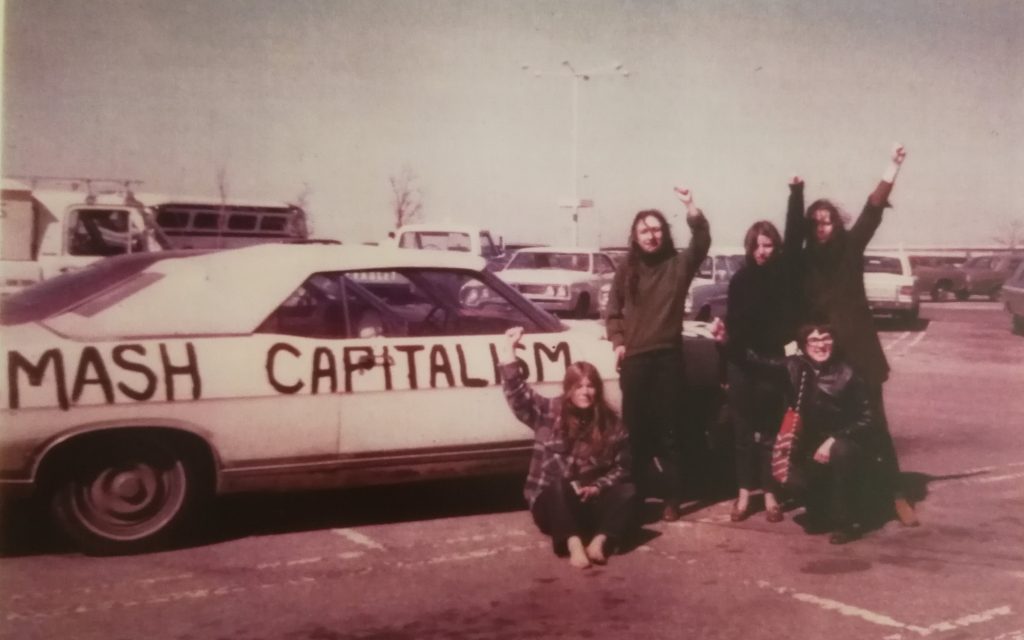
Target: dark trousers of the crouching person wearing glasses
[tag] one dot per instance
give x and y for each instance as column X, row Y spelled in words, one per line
column 833, row 492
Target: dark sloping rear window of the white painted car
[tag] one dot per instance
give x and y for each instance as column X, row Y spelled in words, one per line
column 69, row 290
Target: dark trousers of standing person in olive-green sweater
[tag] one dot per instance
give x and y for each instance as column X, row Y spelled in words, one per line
column 653, row 410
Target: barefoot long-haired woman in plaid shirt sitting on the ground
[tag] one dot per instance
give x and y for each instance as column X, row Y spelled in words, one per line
column 578, row 488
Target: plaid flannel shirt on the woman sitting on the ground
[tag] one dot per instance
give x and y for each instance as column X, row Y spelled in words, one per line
column 556, row 459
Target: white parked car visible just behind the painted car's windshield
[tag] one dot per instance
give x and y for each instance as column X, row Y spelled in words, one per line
column 567, row 280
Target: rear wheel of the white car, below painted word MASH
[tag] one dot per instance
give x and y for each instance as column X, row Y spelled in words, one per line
column 124, row 494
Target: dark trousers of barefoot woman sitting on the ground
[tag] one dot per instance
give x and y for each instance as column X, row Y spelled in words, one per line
column 560, row 513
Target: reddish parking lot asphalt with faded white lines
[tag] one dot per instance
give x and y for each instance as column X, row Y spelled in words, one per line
column 462, row 560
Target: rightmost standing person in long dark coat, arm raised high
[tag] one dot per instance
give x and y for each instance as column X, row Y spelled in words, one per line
column 832, row 290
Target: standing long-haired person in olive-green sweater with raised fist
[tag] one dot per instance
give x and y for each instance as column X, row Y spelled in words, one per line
column 645, row 324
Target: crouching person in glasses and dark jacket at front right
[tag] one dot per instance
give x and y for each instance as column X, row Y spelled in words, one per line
column 838, row 442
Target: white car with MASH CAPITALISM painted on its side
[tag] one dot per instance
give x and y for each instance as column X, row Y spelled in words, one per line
column 139, row 387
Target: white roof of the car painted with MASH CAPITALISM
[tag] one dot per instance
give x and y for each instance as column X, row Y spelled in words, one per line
column 228, row 292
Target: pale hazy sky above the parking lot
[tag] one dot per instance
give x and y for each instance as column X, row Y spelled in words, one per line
column 728, row 98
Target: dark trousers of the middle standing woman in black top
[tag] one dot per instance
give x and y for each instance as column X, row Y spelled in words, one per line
column 757, row 402
